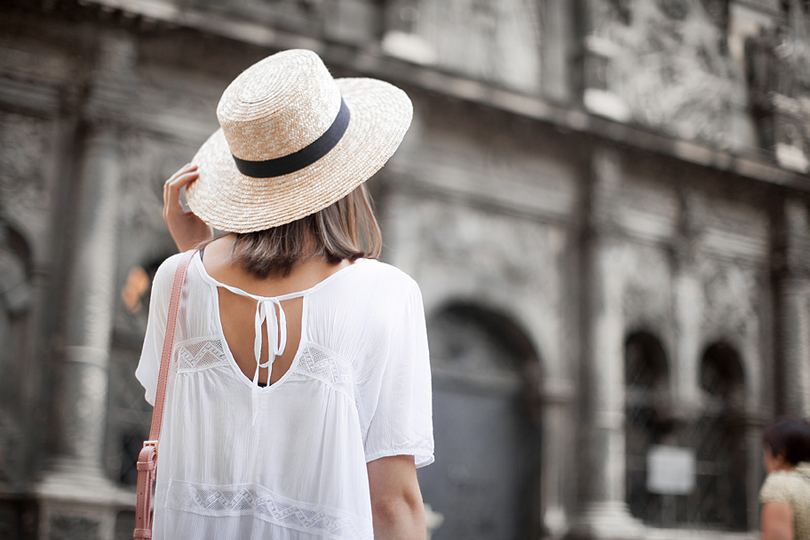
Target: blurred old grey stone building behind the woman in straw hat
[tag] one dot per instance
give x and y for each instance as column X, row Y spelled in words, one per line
column 605, row 203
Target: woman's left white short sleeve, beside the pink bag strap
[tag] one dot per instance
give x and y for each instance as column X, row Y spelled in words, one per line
column 149, row 364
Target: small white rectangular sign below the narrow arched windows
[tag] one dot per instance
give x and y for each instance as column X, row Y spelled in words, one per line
column 670, row 470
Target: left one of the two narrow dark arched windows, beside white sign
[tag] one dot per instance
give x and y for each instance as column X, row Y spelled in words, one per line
column 648, row 422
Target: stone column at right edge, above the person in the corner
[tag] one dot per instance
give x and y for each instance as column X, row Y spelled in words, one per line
column 792, row 287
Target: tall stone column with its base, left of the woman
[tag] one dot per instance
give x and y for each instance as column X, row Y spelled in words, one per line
column 77, row 500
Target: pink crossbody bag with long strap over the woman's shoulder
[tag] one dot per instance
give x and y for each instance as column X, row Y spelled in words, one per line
column 147, row 459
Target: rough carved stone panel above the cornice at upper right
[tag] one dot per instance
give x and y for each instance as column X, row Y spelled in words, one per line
column 663, row 64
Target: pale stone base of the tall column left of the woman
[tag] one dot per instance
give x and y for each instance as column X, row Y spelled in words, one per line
column 78, row 502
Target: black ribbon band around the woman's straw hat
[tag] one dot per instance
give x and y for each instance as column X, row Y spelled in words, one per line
column 303, row 158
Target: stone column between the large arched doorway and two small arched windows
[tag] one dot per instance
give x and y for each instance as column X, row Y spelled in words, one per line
column 605, row 514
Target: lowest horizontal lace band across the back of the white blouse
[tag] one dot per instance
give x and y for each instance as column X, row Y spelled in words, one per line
column 261, row 503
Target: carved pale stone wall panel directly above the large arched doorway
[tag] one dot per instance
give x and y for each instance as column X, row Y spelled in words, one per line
column 505, row 264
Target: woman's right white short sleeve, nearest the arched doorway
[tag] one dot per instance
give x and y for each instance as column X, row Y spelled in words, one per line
column 396, row 387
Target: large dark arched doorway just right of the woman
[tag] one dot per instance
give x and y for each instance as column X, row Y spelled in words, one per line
column 486, row 476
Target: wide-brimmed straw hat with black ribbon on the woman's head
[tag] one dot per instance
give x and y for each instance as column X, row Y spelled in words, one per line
column 293, row 140
